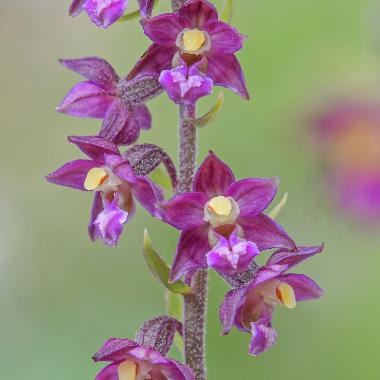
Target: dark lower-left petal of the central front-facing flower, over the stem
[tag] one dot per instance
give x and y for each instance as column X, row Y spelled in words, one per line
column 191, row 252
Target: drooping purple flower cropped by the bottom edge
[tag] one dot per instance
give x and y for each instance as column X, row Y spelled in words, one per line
column 133, row 361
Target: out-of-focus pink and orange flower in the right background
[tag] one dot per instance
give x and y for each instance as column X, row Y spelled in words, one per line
column 349, row 140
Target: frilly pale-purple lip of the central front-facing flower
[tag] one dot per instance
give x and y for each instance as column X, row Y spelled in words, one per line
column 232, row 255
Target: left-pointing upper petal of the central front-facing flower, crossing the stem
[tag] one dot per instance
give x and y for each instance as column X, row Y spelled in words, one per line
column 185, row 211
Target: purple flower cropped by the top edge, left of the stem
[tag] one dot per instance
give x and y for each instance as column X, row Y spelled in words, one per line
column 104, row 13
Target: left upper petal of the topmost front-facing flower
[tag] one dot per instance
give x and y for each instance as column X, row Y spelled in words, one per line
column 163, row 29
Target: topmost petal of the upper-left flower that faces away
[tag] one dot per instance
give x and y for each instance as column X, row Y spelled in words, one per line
column 94, row 69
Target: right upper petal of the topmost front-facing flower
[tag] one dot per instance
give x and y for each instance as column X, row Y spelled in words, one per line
column 224, row 38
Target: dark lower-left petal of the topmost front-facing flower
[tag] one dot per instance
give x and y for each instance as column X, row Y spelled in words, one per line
column 156, row 59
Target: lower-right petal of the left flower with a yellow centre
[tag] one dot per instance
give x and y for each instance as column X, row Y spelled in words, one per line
column 147, row 194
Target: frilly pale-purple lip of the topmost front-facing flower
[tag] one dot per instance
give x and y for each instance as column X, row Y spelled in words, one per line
column 185, row 84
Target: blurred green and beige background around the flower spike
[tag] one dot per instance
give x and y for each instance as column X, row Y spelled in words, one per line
column 61, row 295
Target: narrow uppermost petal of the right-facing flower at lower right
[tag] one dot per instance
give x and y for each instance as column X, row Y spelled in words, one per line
column 293, row 258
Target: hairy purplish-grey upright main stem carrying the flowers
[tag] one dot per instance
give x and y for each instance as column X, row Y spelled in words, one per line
column 196, row 303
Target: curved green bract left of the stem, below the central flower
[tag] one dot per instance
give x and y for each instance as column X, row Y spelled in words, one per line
column 160, row 269
